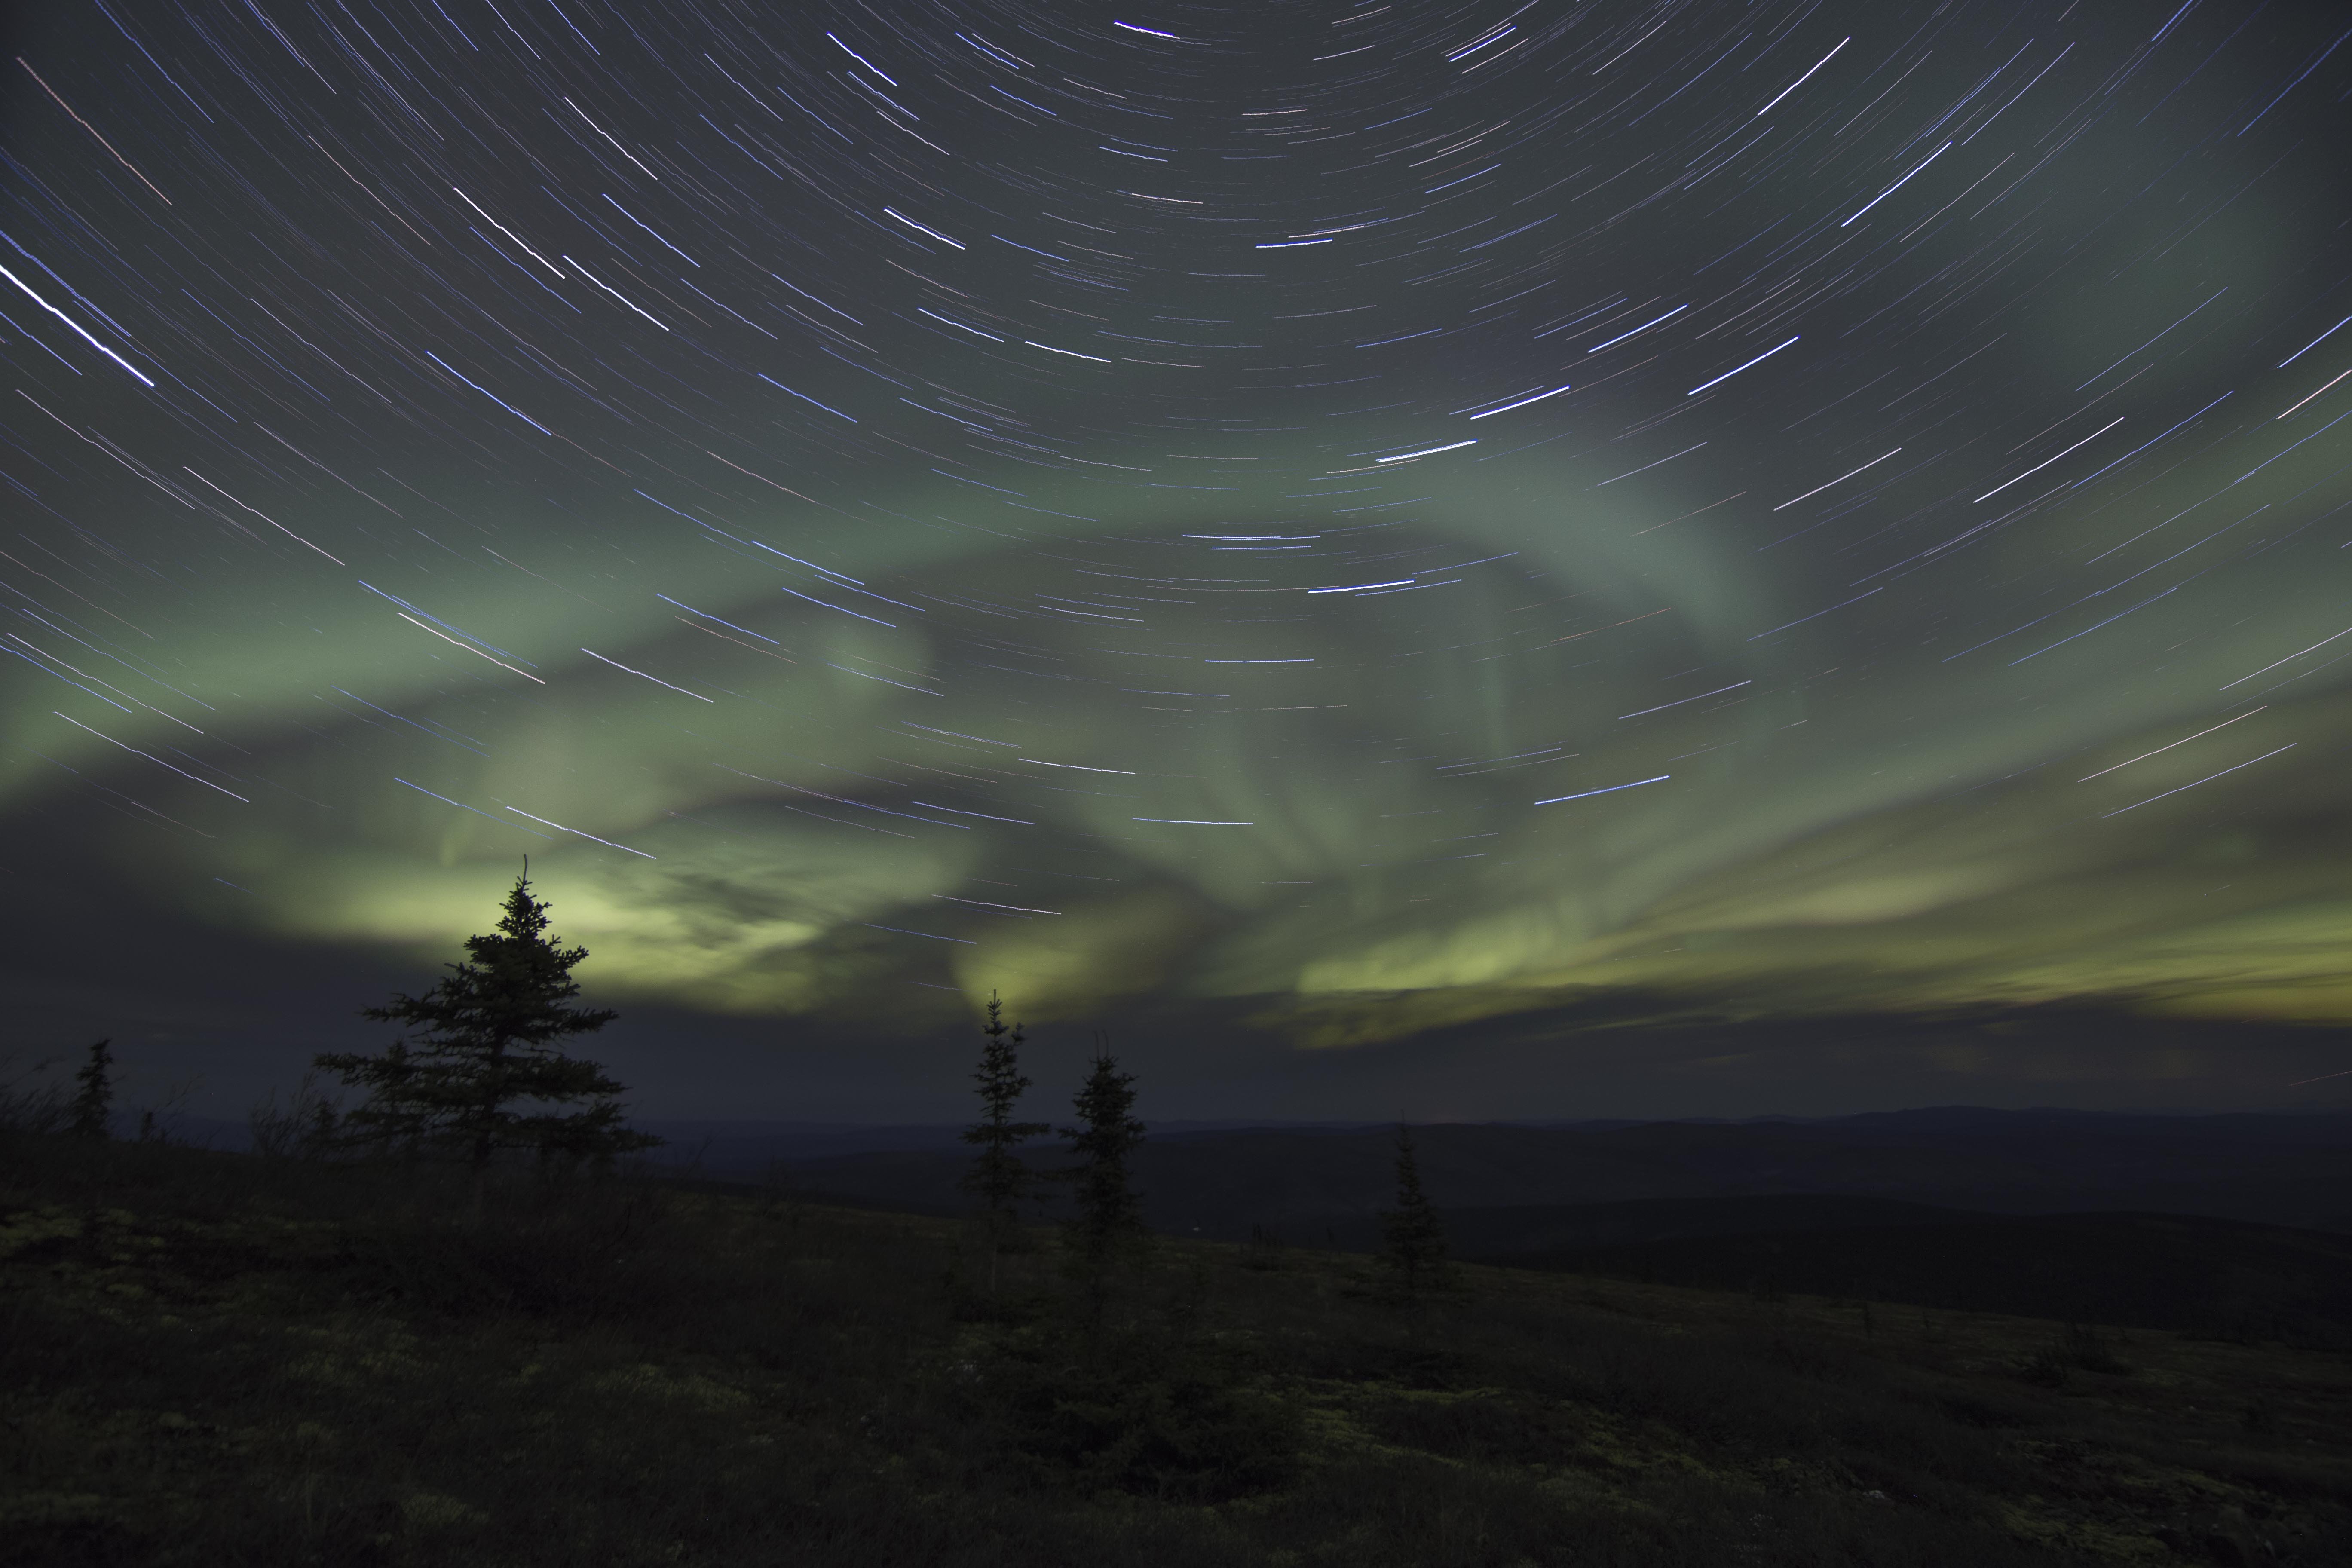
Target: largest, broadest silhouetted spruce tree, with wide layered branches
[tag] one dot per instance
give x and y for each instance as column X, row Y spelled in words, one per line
column 488, row 1040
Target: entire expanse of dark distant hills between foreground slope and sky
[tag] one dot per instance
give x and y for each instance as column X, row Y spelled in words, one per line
column 2233, row 1226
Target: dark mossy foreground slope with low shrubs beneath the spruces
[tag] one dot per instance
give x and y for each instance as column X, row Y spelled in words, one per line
column 222, row 1360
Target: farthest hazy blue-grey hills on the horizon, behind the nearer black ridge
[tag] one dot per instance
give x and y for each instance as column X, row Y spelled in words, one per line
column 2280, row 1170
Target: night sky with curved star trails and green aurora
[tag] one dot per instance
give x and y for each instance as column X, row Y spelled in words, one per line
column 1328, row 542
